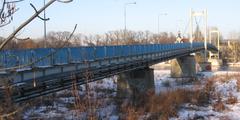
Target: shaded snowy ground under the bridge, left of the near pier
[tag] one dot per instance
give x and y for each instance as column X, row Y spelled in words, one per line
column 64, row 107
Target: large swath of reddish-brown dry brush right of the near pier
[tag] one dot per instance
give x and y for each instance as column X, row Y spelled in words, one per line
column 167, row 104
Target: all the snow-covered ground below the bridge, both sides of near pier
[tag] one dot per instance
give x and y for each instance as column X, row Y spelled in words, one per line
column 63, row 107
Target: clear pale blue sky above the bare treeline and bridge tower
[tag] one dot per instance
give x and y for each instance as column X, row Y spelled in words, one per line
column 100, row 16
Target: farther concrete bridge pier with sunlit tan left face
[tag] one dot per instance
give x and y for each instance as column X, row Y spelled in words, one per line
column 183, row 67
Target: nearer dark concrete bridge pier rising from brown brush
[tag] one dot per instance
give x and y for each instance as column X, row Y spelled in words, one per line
column 134, row 84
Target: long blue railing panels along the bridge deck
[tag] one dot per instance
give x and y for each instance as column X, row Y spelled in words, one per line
column 13, row 58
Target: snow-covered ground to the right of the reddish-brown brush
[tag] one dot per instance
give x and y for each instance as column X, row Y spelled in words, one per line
column 226, row 89
